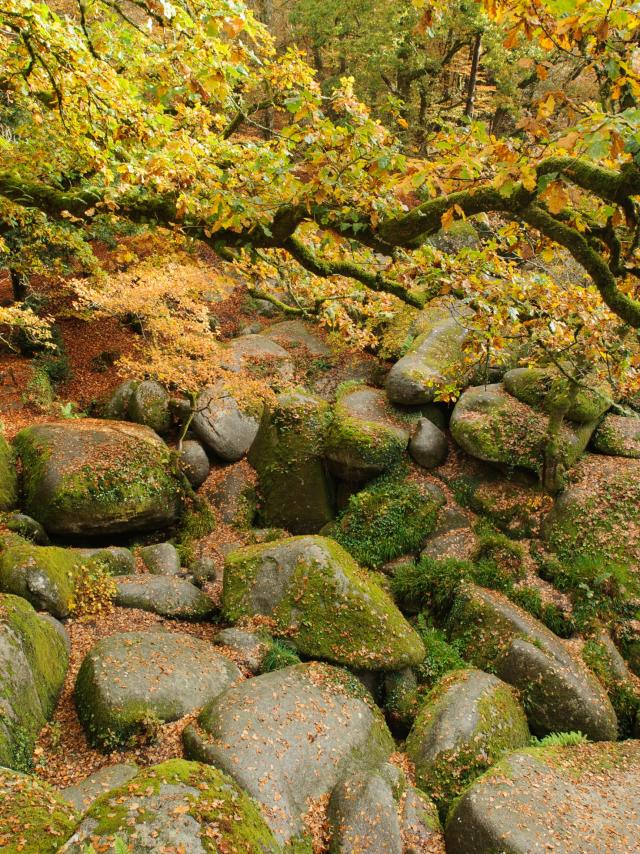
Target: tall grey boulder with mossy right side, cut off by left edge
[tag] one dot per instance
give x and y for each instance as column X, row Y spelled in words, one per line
column 33, row 664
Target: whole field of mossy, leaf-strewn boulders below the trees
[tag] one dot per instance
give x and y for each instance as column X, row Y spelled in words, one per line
column 342, row 619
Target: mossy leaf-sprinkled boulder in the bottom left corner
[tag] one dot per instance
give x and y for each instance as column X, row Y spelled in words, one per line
column 34, row 819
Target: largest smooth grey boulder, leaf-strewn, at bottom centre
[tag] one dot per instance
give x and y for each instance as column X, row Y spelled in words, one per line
column 291, row 736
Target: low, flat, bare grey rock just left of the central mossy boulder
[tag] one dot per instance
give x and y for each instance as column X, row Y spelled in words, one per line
column 164, row 595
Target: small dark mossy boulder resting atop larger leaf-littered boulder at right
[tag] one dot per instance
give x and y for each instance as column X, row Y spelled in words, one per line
column 549, row 390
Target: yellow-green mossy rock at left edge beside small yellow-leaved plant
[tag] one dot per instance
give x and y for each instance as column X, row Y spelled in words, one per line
column 46, row 576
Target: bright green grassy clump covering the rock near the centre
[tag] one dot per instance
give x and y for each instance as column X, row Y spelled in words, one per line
column 389, row 518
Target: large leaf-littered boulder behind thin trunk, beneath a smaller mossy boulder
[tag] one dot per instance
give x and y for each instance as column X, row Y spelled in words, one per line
column 496, row 427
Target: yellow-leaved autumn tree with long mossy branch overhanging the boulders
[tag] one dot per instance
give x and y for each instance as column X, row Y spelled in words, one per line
column 152, row 112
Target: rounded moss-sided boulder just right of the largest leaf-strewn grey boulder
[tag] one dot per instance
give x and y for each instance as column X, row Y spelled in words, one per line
column 468, row 721
